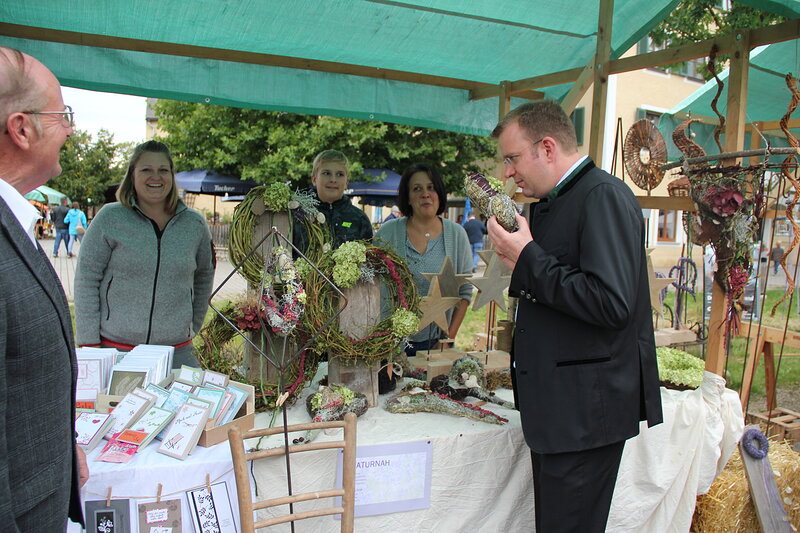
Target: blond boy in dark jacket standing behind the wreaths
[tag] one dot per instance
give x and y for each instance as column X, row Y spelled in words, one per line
column 329, row 176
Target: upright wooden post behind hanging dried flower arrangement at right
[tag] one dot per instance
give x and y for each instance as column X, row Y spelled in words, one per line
column 734, row 141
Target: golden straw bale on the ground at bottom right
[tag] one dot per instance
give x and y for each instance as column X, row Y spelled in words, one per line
column 728, row 507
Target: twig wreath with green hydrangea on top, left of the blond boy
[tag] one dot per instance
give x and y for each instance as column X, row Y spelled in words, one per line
column 277, row 197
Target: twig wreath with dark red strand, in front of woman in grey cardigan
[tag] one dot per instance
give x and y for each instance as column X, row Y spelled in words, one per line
column 362, row 262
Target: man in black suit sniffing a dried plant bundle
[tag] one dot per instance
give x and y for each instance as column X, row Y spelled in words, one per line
column 584, row 354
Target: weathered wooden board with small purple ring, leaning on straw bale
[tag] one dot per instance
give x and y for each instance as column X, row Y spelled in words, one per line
column 766, row 498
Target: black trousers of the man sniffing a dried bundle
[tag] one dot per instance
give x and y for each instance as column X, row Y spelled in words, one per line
column 572, row 491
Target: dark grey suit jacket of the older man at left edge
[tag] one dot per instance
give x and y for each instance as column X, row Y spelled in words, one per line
column 38, row 471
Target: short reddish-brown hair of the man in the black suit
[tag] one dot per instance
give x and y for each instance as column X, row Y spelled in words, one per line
column 542, row 118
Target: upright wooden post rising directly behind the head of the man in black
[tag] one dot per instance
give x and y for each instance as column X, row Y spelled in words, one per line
column 600, row 81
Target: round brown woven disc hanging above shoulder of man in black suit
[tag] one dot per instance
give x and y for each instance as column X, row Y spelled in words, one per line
column 644, row 152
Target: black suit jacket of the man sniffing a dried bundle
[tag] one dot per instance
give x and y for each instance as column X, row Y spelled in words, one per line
column 584, row 350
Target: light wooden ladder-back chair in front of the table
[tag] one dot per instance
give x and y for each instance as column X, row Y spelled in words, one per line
column 347, row 492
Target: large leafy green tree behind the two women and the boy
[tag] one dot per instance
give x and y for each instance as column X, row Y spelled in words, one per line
column 269, row 146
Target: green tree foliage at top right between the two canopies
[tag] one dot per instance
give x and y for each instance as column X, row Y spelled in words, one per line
column 697, row 20
